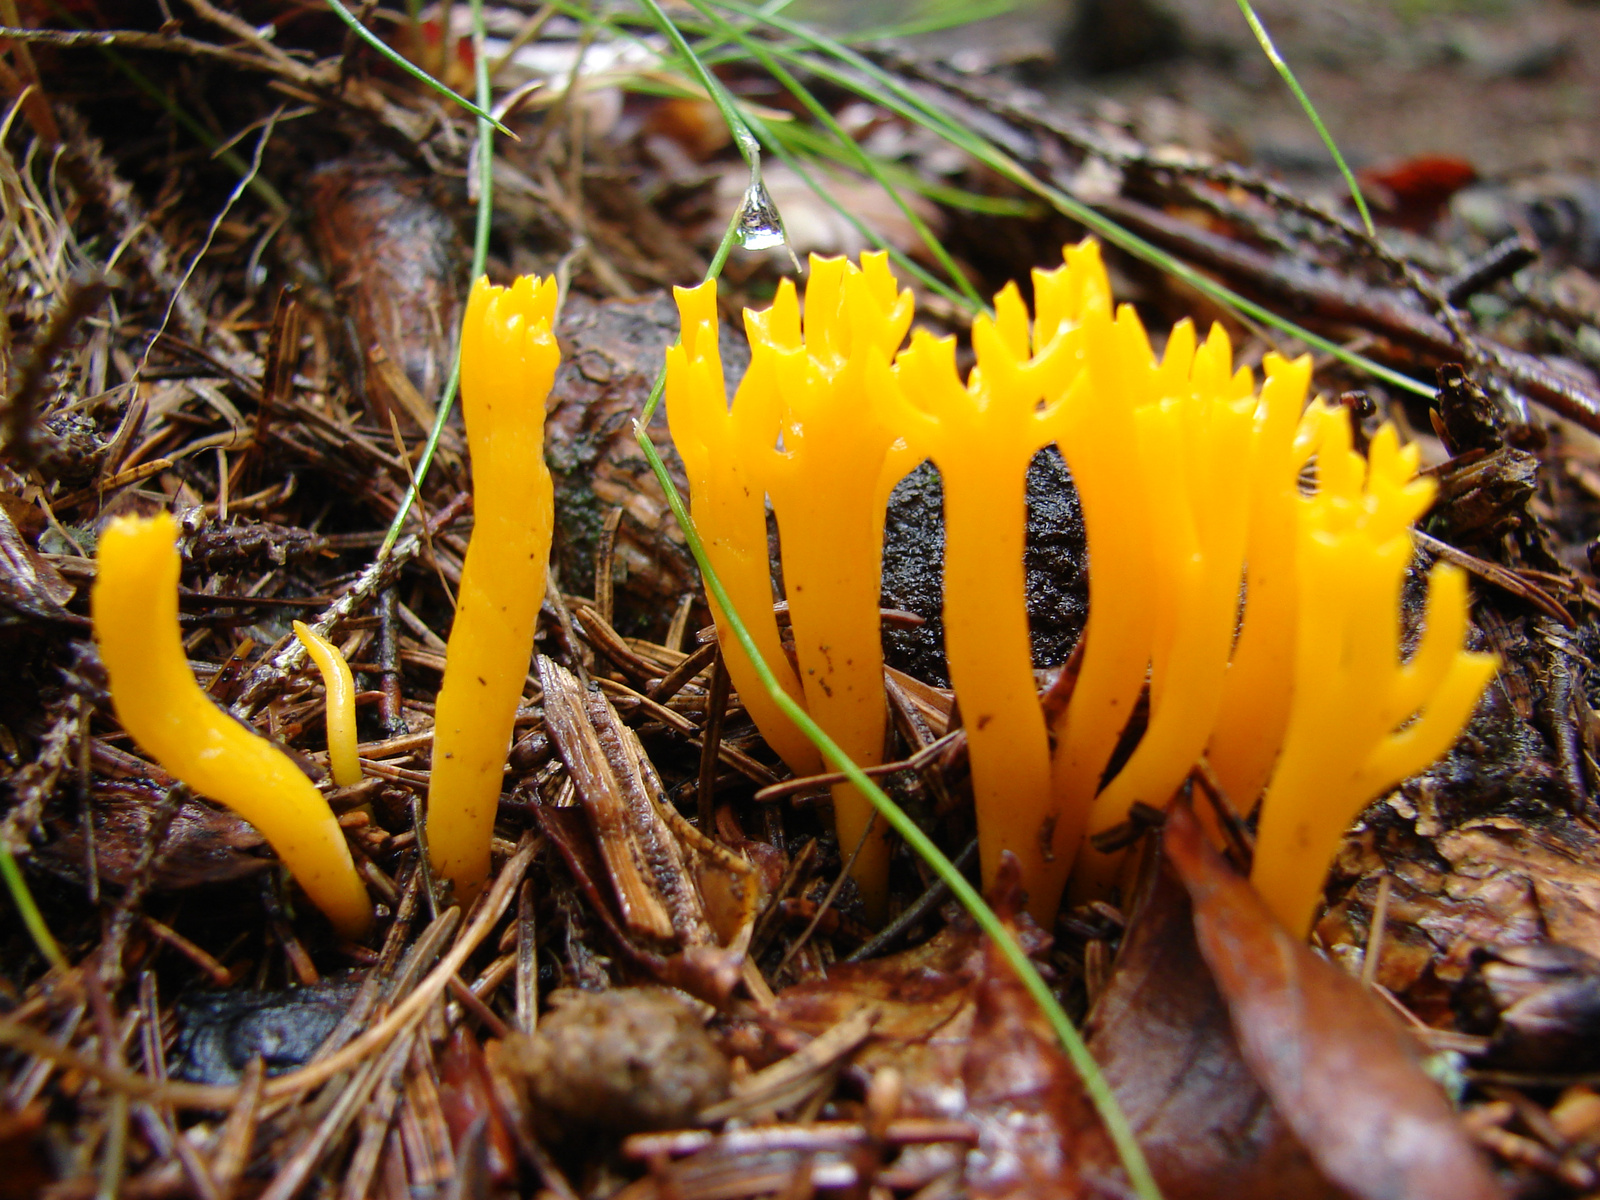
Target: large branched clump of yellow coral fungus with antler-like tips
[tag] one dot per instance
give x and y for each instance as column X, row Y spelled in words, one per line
column 1262, row 622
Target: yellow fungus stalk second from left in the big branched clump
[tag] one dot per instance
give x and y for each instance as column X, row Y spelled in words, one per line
column 830, row 476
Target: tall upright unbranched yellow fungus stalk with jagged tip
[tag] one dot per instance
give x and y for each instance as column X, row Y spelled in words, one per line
column 508, row 366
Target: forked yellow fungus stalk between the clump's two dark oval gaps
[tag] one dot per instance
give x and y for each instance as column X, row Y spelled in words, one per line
column 982, row 436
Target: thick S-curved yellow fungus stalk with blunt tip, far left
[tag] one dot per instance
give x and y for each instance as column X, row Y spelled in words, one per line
column 167, row 714
